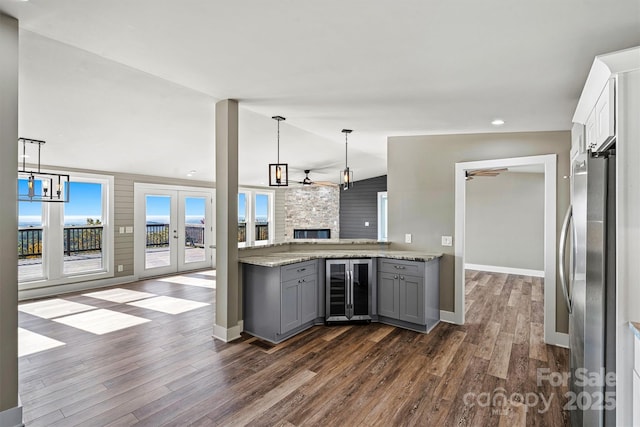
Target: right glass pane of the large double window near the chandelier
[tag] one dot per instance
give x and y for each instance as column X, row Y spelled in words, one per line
column 82, row 230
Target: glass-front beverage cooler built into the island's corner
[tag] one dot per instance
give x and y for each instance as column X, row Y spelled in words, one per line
column 348, row 286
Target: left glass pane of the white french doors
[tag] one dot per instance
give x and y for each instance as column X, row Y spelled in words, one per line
column 158, row 214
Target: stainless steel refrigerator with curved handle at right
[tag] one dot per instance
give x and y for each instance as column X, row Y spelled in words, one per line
column 589, row 288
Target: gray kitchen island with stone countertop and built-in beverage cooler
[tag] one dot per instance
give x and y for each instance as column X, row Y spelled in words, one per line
column 285, row 291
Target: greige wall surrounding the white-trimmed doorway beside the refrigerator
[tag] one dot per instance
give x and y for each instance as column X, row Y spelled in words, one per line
column 421, row 190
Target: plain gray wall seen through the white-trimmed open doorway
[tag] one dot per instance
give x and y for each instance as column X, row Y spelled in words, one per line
column 504, row 224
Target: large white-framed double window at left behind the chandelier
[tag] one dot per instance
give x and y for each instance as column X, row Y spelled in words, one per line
column 59, row 243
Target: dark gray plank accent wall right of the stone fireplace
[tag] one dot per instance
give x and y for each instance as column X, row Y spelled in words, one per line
column 359, row 205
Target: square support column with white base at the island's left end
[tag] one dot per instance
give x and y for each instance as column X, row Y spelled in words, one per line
column 228, row 324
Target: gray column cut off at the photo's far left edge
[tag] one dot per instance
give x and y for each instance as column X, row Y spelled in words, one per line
column 10, row 409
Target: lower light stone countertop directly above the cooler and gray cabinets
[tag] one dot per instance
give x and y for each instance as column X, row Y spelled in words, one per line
column 277, row 259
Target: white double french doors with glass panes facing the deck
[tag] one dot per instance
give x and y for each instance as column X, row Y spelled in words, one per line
column 174, row 229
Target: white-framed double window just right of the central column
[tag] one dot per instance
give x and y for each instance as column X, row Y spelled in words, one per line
column 254, row 217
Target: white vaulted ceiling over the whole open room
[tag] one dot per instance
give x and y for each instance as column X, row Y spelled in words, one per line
column 134, row 83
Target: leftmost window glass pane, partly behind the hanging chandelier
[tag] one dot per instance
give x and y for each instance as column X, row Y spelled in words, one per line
column 30, row 230
